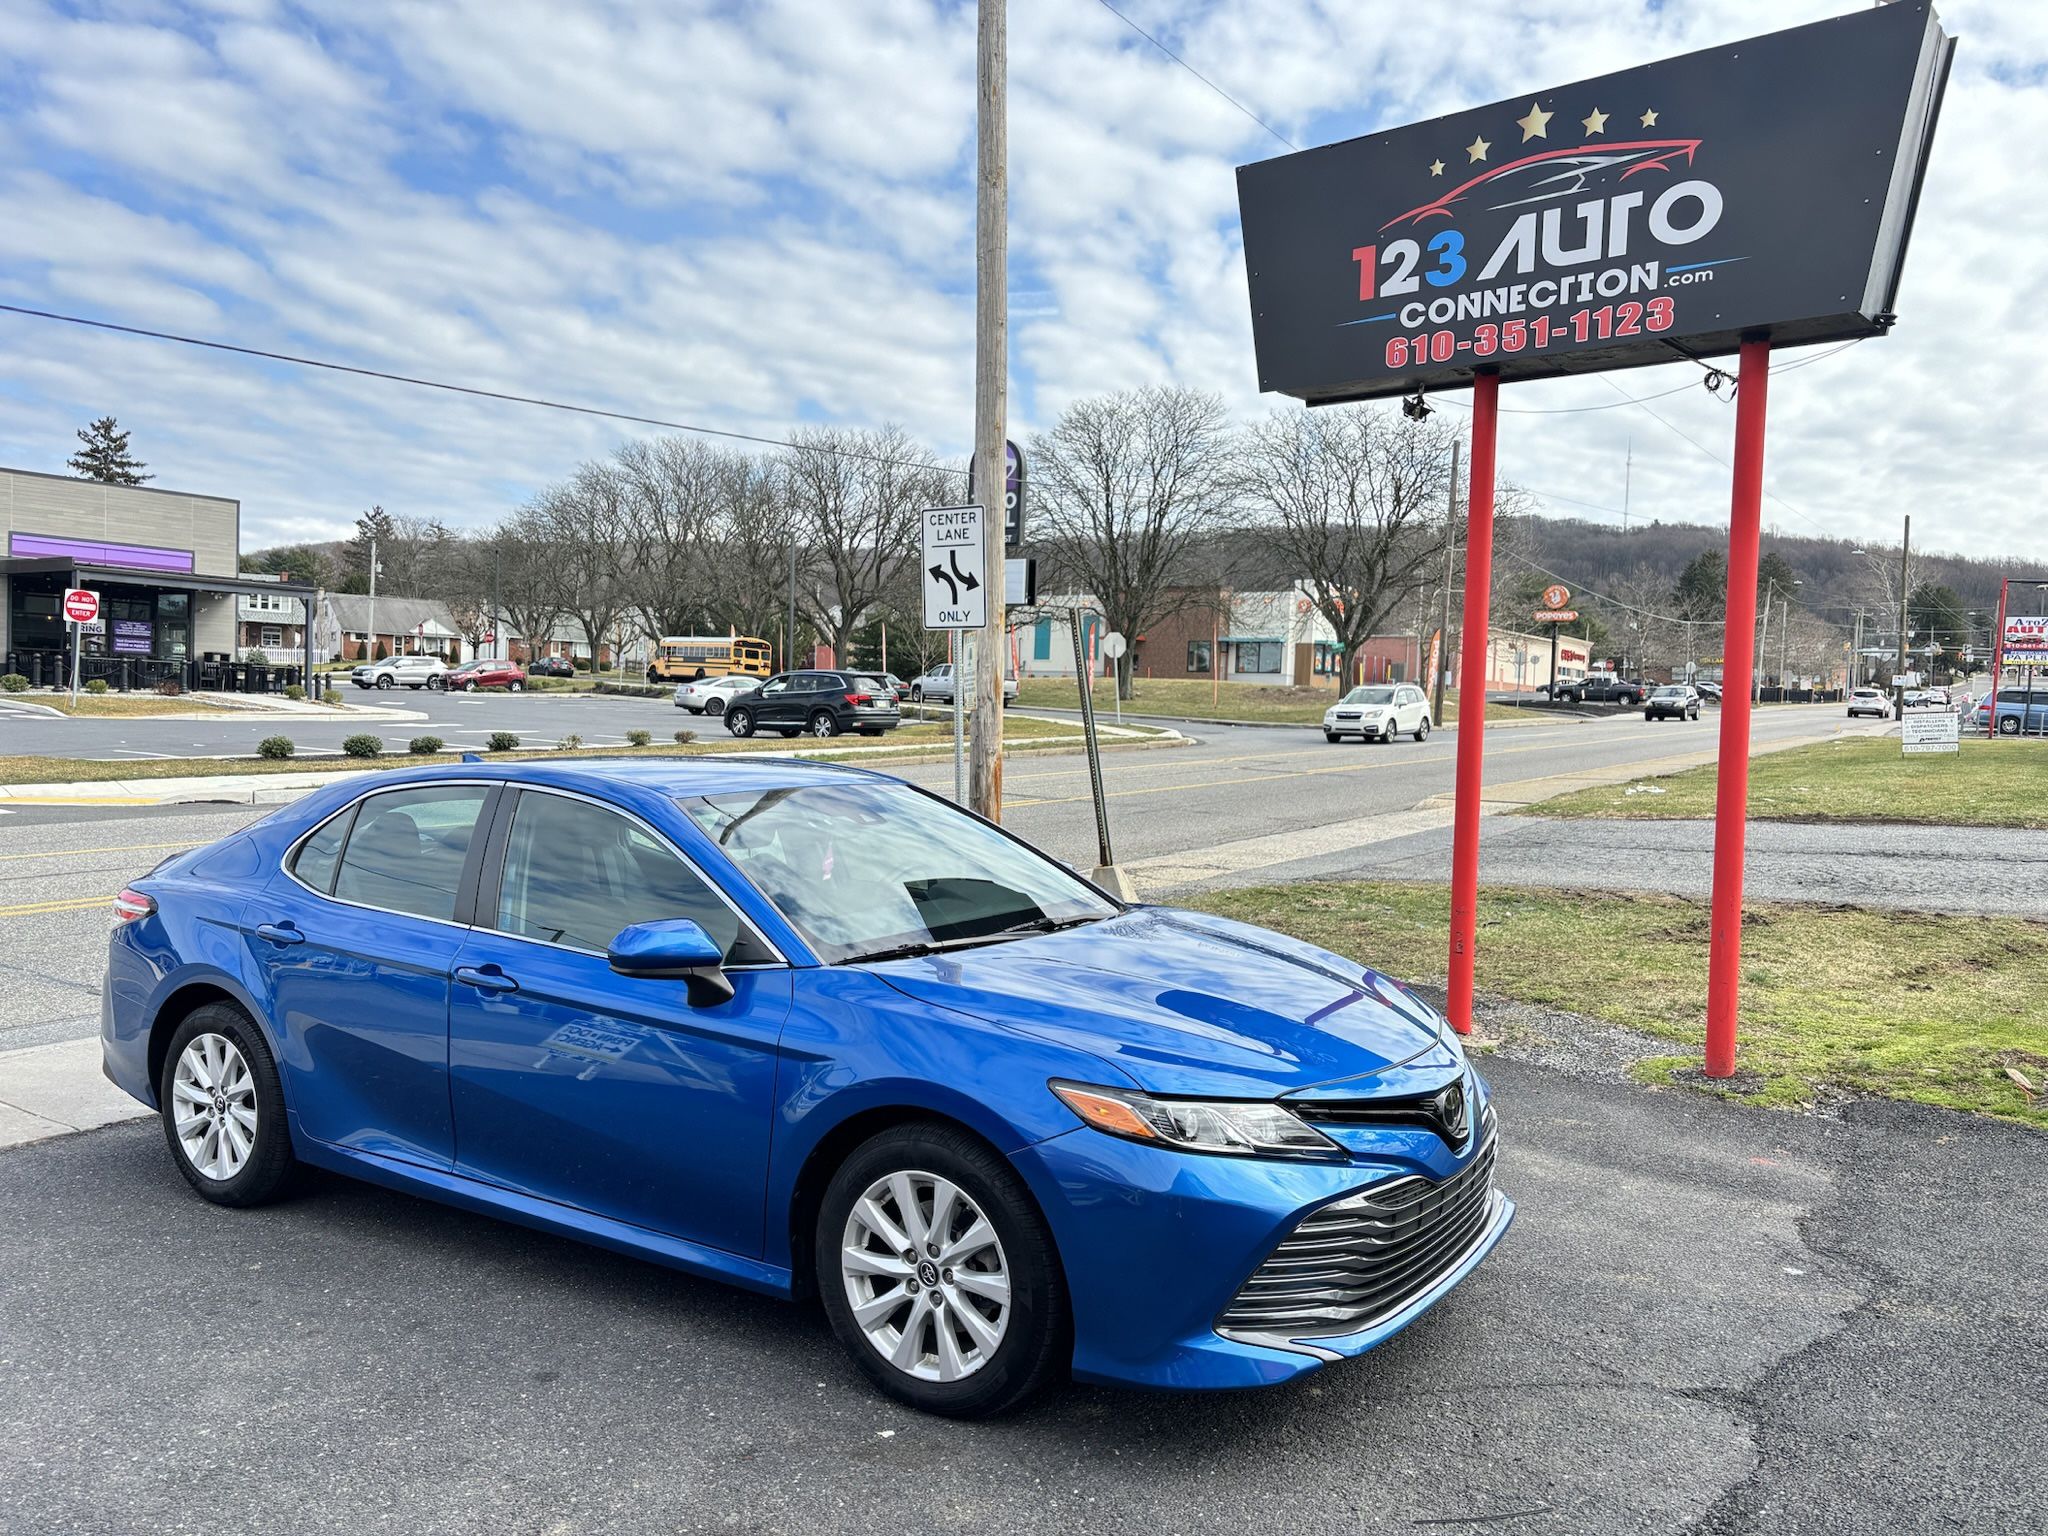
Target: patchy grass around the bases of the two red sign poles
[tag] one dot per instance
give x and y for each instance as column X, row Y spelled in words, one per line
column 1895, row 1005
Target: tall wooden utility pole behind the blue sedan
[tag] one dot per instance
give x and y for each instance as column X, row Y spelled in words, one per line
column 992, row 376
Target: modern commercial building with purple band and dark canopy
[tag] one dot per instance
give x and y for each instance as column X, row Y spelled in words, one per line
column 165, row 570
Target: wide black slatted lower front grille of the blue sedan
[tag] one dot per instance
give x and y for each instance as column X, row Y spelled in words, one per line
column 1365, row 1258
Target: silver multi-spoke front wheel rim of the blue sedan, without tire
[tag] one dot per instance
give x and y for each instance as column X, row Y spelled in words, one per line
column 919, row 1222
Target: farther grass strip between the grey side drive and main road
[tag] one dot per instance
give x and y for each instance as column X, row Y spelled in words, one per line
column 1854, row 779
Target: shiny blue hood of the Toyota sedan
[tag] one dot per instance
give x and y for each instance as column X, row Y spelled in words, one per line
column 1187, row 1005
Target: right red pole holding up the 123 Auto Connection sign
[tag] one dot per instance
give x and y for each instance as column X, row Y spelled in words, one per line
column 1732, row 792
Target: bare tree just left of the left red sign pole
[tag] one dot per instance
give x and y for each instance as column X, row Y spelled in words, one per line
column 1357, row 505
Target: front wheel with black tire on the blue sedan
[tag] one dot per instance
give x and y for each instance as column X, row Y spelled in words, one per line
column 1015, row 1345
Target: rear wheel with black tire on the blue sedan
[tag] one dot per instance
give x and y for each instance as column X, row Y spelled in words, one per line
column 234, row 1148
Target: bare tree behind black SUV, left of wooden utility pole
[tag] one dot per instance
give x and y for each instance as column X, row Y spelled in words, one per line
column 855, row 501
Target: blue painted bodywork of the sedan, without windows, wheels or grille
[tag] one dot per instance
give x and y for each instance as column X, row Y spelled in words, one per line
column 609, row 1109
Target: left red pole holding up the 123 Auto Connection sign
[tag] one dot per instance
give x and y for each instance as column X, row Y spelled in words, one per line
column 1471, row 701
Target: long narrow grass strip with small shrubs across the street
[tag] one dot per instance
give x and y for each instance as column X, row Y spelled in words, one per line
column 1019, row 736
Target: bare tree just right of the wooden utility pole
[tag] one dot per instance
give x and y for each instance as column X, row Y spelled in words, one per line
column 1127, row 488
